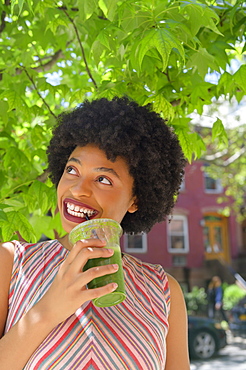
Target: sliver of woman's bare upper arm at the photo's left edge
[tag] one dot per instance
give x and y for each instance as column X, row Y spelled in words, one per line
column 6, row 265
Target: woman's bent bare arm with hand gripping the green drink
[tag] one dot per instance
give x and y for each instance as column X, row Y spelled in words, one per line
column 66, row 294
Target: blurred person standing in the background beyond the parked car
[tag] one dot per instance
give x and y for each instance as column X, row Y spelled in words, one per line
column 215, row 299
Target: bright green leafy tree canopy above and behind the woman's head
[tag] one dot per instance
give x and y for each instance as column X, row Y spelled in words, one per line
column 54, row 54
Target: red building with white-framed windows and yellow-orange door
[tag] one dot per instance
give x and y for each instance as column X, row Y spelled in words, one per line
column 199, row 242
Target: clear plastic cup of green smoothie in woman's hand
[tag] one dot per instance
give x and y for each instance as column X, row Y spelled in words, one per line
column 109, row 231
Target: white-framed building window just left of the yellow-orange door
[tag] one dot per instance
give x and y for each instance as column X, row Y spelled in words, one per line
column 177, row 232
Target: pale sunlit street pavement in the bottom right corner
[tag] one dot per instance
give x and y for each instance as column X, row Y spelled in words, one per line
column 232, row 357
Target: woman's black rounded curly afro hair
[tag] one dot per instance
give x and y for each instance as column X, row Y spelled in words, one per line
column 121, row 127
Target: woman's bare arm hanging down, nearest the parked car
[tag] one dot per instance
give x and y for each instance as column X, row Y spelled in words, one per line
column 177, row 338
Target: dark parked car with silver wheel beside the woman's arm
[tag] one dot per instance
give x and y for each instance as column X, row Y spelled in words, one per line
column 206, row 337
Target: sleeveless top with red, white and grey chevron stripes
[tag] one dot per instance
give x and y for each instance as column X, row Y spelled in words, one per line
column 130, row 335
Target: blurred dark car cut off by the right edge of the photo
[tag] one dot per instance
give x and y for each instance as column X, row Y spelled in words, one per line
column 237, row 323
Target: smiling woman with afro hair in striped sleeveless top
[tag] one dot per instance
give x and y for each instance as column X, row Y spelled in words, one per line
column 111, row 159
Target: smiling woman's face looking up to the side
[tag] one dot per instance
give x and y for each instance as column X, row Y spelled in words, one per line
column 93, row 186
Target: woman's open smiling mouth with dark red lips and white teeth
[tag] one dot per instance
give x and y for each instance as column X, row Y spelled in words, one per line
column 78, row 212
